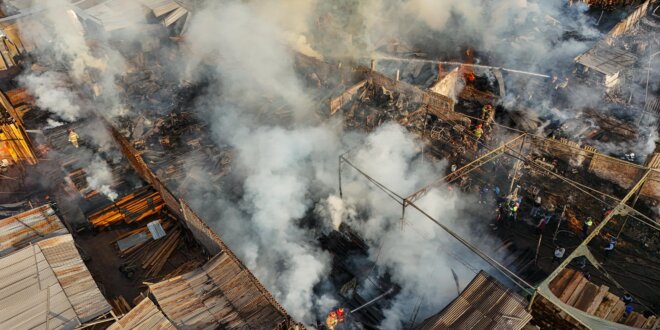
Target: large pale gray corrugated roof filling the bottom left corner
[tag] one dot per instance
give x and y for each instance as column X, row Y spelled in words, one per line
column 47, row 286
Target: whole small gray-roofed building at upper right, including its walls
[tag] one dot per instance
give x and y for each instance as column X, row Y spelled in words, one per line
column 606, row 66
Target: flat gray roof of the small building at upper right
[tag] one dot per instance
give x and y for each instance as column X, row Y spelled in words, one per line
column 607, row 59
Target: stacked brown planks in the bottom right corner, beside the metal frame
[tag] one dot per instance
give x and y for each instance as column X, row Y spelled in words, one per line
column 571, row 287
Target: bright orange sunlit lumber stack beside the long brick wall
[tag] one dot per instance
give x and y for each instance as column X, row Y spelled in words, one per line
column 134, row 207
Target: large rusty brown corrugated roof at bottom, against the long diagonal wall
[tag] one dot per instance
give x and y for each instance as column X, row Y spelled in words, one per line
column 219, row 294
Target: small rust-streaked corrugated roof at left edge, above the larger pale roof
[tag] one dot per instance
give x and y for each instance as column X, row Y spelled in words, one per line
column 29, row 227
